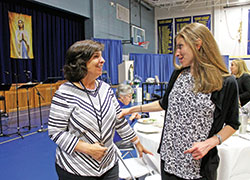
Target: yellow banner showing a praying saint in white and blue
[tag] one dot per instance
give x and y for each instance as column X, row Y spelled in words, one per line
column 20, row 36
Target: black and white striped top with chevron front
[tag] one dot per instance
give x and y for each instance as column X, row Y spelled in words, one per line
column 72, row 117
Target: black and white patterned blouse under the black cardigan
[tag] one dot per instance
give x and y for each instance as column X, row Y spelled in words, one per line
column 189, row 119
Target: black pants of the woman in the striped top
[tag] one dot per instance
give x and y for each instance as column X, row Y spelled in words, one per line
column 112, row 174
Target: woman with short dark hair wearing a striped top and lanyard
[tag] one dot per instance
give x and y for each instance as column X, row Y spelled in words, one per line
column 83, row 118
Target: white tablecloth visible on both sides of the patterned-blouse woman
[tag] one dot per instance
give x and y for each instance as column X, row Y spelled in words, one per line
column 234, row 152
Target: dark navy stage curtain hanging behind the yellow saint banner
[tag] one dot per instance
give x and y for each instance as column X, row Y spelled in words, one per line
column 53, row 32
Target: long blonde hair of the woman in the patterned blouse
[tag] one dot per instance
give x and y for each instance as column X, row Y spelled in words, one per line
column 208, row 64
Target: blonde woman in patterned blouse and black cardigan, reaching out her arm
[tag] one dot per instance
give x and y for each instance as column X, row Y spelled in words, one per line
column 201, row 107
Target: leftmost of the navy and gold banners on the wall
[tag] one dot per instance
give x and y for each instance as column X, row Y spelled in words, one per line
column 165, row 36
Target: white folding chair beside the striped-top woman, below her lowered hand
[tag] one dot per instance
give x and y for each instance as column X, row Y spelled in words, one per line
column 133, row 168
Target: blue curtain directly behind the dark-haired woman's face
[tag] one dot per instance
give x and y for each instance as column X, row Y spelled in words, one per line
column 113, row 57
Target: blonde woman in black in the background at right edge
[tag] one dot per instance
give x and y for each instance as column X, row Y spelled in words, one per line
column 242, row 74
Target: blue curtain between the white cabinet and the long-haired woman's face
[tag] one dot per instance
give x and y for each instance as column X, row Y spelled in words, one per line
column 149, row 65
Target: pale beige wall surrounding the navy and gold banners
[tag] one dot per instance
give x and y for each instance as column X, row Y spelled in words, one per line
column 225, row 25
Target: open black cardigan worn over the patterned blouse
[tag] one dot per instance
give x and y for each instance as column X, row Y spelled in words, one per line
column 226, row 112
